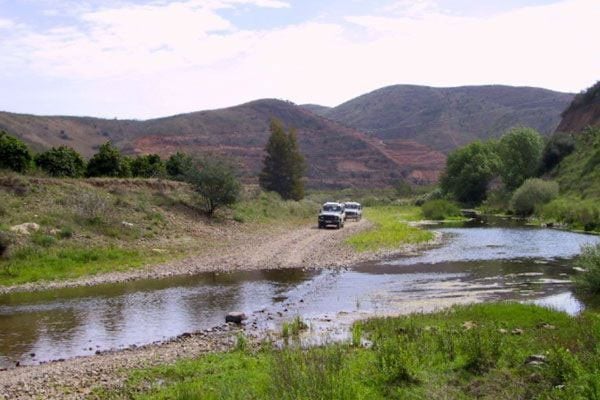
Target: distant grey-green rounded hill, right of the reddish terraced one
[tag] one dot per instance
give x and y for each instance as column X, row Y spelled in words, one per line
column 445, row 118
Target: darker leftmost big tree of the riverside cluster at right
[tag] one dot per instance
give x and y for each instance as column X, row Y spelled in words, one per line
column 469, row 171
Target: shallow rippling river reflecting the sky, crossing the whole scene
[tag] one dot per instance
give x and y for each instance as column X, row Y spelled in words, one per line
column 474, row 264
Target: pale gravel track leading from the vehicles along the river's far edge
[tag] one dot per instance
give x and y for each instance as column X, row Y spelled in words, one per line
column 303, row 246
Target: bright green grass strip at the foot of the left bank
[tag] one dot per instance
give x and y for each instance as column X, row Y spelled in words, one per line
column 33, row 264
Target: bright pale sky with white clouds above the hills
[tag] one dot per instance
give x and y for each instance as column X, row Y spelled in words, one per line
column 145, row 59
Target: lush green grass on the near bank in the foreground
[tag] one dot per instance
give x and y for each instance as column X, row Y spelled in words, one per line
column 467, row 352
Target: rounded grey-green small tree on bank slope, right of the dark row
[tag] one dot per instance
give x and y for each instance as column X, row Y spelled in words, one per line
column 215, row 181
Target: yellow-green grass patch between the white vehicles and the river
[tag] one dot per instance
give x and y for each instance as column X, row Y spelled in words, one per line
column 391, row 229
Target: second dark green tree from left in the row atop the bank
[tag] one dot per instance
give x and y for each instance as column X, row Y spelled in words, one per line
column 61, row 161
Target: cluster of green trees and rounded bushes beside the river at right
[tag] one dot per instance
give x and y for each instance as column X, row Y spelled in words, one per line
column 510, row 166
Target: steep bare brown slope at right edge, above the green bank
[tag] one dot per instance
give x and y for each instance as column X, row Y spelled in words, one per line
column 584, row 111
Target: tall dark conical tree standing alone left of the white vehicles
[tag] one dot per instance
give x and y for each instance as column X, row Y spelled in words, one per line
column 284, row 165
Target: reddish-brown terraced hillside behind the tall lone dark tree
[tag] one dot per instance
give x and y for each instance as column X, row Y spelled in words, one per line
column 337, row 156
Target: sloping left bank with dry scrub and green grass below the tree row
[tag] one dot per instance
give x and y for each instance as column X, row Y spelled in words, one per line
column 92, row 226
